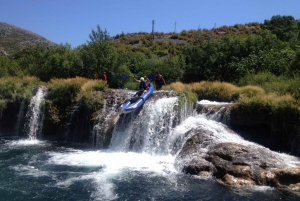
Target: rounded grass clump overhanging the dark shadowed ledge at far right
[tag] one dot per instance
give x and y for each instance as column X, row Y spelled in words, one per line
column 279, row 113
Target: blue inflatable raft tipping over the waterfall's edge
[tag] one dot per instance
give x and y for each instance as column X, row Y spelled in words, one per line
column 136, row 102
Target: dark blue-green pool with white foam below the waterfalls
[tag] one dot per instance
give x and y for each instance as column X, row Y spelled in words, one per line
column 42, row 170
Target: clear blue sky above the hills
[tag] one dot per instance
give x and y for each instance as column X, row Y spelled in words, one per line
column 71, row 21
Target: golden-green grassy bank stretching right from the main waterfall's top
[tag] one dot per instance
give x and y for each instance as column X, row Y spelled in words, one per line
column 274, row 104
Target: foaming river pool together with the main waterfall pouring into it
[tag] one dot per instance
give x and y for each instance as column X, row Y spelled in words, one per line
column 139, row 164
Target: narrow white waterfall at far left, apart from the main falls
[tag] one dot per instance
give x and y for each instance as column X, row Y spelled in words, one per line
column 34, row 118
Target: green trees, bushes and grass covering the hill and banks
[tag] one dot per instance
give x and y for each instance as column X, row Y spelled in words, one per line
column 255, row 65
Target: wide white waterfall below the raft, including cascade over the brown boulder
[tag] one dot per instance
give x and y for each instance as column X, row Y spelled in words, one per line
column 155, row 129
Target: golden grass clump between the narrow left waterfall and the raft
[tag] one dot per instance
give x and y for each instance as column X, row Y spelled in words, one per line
column 63, row 94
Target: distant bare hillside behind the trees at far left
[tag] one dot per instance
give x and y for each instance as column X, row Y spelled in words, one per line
column 13, row 38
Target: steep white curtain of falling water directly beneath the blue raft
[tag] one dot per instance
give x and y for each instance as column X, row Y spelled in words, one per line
column 146, row 130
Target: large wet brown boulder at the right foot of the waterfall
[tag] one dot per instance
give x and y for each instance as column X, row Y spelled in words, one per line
column 235, row 164
